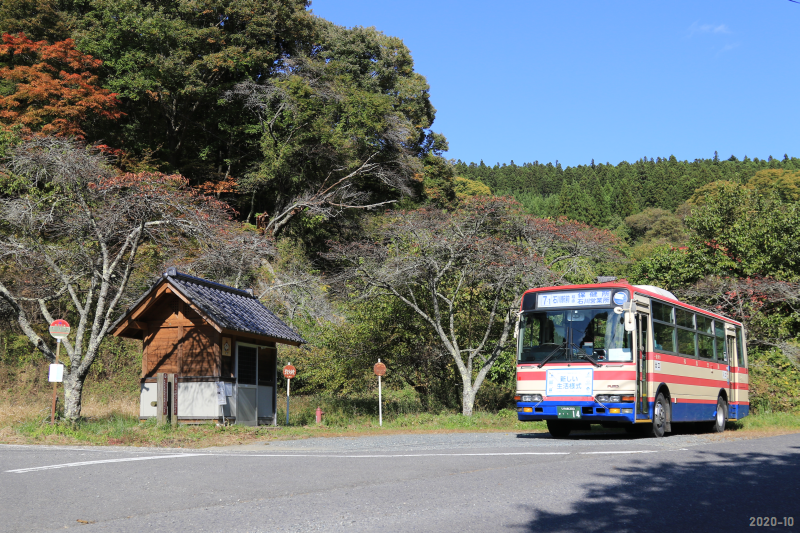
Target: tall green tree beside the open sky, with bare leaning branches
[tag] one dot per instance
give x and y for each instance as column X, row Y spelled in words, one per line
column 345, row 128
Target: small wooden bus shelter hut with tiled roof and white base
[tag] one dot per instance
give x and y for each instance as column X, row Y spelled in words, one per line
column 217, row 344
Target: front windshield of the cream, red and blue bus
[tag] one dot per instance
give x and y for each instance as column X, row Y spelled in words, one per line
column 572, row 334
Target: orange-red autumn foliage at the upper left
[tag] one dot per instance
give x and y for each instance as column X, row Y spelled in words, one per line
column 51, row 89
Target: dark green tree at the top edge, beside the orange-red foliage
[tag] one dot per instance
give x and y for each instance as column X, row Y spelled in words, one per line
column 169, row 63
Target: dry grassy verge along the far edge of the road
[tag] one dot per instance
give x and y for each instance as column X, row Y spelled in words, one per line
column 116, row 423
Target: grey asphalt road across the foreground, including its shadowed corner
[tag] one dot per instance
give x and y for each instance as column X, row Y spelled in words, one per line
column 456, row 482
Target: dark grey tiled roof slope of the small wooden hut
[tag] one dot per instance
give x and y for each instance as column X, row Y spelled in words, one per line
column 231, row 308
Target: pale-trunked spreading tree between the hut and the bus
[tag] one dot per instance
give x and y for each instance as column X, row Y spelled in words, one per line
column 463, row 273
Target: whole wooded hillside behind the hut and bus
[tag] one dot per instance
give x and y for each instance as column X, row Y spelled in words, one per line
column 256, row 144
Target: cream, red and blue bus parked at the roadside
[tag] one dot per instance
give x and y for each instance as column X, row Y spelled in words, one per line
column 629, row 356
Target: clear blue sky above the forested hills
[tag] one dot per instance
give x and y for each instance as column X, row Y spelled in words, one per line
column 610, row 81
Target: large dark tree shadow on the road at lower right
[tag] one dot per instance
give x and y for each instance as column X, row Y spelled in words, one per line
column 711, row 492
